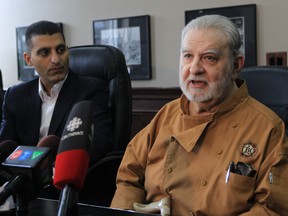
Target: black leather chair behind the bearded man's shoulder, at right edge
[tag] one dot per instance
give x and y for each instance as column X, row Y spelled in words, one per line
column 269, row 85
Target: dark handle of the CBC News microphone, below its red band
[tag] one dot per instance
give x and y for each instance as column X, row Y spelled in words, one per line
column 68, row 202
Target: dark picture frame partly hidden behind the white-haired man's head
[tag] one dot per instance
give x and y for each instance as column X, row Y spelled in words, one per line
column 244, row 17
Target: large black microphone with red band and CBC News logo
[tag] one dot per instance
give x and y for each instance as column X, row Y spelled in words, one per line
column 72, row 160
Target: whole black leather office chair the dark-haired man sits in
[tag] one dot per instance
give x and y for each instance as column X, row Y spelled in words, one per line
column 107, row 63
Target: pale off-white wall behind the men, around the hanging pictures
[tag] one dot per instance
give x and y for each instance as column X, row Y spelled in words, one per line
column 167, row 20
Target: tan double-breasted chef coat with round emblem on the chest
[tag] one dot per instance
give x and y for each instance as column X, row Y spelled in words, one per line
column 186, row 158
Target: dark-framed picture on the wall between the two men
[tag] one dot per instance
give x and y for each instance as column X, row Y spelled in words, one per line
column 132, row 36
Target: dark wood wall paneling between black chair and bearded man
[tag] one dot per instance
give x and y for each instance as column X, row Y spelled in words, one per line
column 146, row 102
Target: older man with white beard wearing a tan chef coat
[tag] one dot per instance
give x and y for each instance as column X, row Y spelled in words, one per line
column 215, row 150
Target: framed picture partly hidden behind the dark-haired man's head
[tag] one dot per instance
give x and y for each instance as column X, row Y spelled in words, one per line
column 25, row 72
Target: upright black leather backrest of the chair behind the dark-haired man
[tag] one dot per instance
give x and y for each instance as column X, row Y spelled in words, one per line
column 108, row 63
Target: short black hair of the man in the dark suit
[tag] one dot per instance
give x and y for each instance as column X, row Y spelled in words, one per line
column 42, row 28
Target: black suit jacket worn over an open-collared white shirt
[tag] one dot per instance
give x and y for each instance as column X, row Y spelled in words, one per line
column 22, row 112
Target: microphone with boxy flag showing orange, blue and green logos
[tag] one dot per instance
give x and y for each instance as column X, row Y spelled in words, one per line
column 33, row 170
